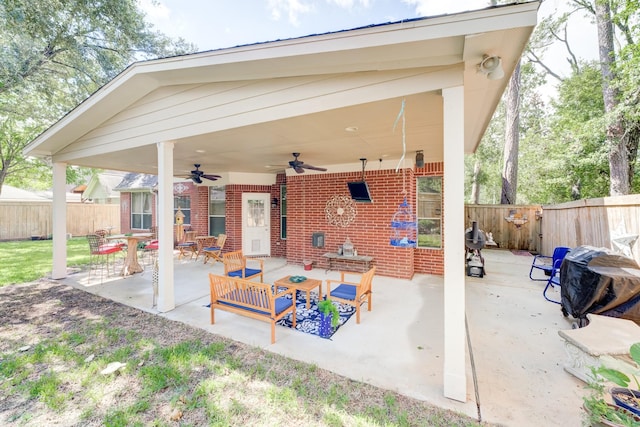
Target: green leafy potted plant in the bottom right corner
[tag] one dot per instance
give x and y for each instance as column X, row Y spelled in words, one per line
column 599, row 410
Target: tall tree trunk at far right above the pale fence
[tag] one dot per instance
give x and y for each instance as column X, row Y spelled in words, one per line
column 619, row 176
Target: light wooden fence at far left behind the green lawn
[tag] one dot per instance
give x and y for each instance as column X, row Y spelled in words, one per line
column 22, row 220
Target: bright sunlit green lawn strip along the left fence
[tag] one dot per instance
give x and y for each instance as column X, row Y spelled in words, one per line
column 27, row 260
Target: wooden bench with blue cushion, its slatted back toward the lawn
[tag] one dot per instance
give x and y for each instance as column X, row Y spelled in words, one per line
column 251, row 299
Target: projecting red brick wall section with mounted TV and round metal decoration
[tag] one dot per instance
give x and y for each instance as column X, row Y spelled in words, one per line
column 370, row 232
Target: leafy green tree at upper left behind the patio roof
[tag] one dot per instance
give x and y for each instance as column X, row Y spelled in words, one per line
column 54, row 55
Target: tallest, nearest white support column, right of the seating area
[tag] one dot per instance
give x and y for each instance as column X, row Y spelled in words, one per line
column 455, row 377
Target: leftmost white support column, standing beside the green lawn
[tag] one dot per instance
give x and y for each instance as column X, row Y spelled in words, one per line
column 59, row 220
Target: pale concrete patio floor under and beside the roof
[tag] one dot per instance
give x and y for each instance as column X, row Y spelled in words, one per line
column 517, row 352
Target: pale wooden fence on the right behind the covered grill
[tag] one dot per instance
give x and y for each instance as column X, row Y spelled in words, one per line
column 590, row 222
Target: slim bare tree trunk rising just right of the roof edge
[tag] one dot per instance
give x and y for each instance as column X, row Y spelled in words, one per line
column 512, row 140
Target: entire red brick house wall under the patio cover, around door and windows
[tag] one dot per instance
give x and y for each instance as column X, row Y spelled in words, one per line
column 307, row 196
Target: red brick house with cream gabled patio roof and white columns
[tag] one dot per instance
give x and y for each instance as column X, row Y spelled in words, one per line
column 385, row 93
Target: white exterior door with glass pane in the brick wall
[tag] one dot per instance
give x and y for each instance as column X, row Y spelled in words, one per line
column 256, row 229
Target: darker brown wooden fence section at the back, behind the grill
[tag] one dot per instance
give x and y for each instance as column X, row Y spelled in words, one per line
column 512, row 226
